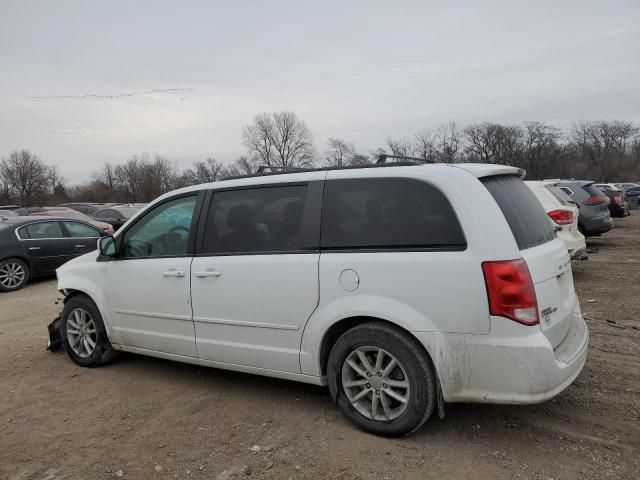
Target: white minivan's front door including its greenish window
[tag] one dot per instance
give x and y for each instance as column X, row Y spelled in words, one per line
column 148, row 284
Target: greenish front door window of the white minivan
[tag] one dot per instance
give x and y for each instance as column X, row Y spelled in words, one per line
column 164, row 231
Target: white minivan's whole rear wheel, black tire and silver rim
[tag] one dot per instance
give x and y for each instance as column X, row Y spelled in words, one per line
column 382, row 380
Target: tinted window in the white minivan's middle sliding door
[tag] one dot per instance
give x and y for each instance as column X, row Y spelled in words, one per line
column 255, row 220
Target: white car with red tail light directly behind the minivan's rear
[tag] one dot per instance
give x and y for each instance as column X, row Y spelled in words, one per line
column 564, row 213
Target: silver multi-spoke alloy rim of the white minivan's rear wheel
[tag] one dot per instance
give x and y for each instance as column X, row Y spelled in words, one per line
column 376, row 383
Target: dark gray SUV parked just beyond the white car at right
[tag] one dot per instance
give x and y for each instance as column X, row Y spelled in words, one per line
column 593, row 218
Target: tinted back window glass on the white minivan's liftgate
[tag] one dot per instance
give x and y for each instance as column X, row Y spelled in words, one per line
column 524, row 213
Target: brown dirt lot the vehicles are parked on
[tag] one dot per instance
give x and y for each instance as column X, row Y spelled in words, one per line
column 147, row 418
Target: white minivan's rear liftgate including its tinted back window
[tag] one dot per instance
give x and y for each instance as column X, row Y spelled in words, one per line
column 546, row 255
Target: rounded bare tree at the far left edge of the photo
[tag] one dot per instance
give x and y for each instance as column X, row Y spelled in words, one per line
column 25, row 175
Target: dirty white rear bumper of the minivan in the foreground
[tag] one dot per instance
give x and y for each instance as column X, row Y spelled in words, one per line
column 508, row 368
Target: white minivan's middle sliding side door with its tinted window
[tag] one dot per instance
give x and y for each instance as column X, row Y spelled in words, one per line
column 255, row 282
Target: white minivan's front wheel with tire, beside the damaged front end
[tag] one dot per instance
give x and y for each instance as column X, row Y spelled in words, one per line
column 83, row 334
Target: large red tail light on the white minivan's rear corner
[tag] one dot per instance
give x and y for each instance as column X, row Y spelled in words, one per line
column 510, row 291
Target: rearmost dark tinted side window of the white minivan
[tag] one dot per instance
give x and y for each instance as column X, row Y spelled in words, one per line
column 387, row 213
